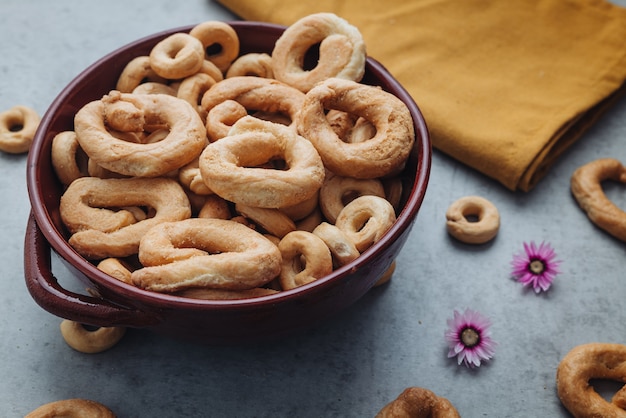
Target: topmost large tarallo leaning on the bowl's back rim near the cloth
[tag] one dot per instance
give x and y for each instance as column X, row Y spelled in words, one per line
column 342, row 51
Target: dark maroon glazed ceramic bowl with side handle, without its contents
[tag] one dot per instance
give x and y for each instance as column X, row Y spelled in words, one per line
column 114, row 303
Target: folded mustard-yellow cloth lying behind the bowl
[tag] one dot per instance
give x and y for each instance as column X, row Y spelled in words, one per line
column 505, row 86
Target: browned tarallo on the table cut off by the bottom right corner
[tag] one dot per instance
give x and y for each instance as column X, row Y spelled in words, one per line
column 581, row 365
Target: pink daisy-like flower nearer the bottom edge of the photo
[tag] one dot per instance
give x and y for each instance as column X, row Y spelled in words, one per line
column 469, row 338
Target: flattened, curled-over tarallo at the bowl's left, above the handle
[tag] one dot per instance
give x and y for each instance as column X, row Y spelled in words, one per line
column 99, row 232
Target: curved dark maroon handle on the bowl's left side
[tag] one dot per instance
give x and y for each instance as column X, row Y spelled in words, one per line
column 48, row 293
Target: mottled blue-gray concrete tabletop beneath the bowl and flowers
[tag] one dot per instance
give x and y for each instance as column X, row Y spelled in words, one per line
column 354, row 364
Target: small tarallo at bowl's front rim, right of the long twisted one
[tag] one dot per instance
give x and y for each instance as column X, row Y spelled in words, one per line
column 317, row 259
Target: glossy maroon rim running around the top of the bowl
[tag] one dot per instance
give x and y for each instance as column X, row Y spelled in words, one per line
column 60, row 245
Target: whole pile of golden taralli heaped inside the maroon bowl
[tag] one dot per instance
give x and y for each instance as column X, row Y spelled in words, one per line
column 232, row 176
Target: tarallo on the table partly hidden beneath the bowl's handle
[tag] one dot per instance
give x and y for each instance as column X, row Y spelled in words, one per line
column 91, row 342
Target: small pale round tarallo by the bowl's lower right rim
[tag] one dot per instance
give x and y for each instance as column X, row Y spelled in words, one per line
column 365, row 220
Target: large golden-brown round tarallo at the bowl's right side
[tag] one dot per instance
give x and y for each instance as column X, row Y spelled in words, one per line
column 379, row 156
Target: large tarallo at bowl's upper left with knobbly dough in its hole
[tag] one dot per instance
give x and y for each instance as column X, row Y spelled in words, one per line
column 185, row 141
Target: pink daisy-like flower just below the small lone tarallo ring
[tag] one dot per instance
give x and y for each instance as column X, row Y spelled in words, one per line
column 536, row 267
